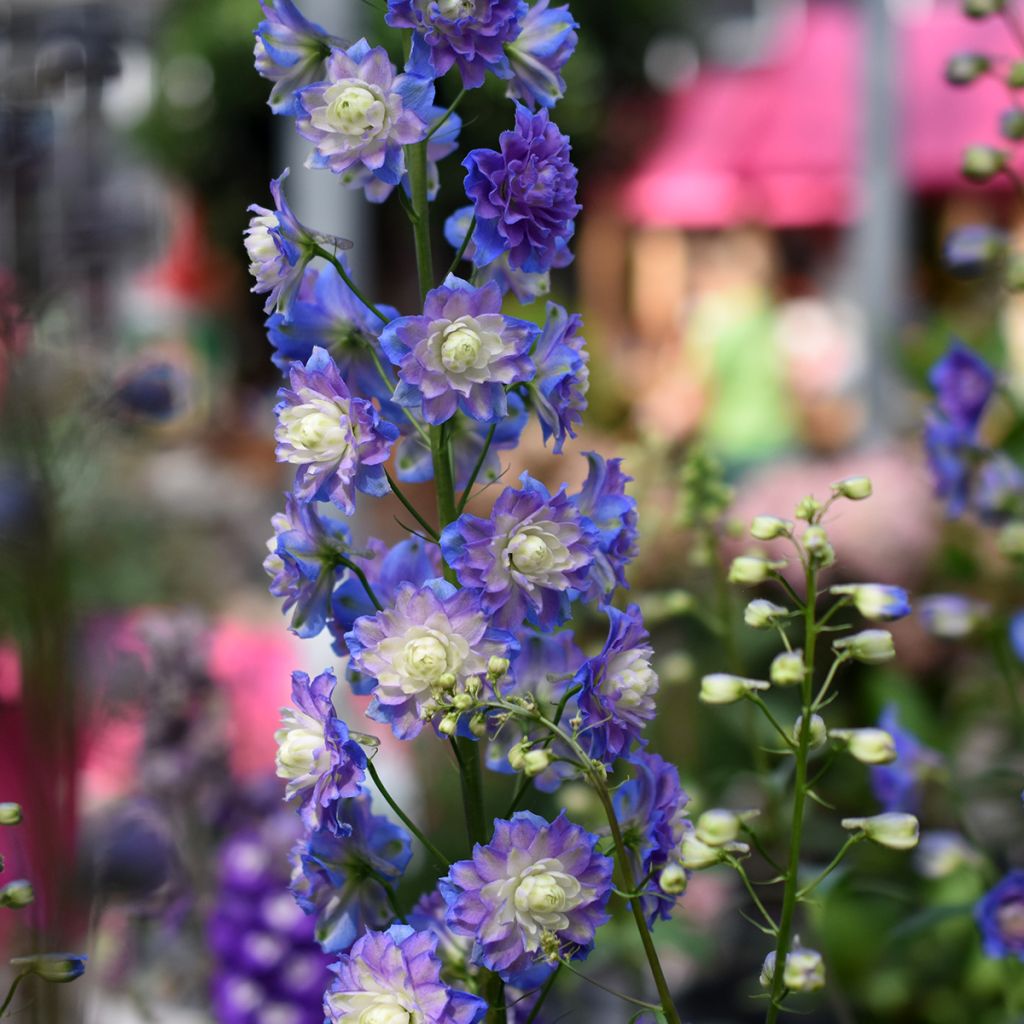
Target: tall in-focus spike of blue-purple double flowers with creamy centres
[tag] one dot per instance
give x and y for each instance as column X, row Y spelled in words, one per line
column 466, row 627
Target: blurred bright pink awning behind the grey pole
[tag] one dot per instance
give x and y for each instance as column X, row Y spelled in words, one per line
column 779, row 145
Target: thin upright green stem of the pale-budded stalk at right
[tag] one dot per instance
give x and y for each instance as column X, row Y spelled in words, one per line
column 785, row 935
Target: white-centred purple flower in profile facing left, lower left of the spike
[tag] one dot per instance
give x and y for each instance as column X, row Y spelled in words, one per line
column 316, row 754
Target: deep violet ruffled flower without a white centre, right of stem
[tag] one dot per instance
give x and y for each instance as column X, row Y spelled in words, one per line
column 524, row 195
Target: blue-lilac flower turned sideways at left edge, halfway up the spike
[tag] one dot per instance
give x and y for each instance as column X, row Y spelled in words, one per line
column 305, row 564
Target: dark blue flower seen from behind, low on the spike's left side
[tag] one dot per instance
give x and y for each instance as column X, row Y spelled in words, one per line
column 340, row 878
